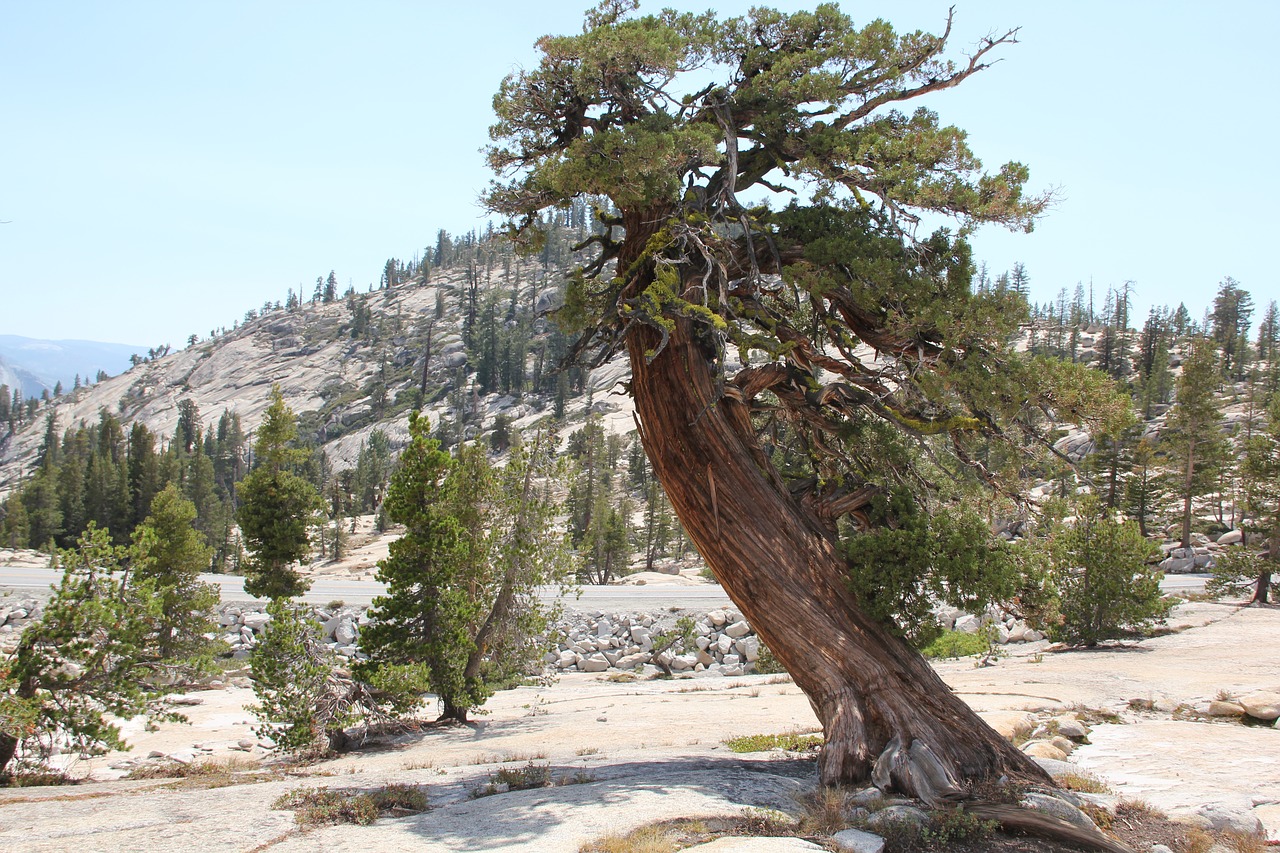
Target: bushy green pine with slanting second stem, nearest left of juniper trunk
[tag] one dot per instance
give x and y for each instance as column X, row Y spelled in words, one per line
column 461, row 612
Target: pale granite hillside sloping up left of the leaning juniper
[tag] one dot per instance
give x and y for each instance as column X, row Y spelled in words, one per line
column 348, row 367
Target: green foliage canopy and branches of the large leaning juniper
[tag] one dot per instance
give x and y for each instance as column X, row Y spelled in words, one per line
column 867, row 362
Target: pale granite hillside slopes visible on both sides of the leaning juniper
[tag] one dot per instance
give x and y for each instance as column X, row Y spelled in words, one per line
column 353, row 364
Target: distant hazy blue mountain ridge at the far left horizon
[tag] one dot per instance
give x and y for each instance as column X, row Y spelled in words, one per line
column 35, row 366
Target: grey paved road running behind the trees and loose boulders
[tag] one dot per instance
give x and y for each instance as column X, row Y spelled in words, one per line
column 606, row 599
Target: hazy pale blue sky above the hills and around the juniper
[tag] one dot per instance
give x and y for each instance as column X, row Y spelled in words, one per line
column 167, row 166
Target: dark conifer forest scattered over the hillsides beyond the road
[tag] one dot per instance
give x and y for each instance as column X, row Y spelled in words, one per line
column 107, row 473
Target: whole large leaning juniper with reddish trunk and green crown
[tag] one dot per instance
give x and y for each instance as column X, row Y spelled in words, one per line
column 866, row 370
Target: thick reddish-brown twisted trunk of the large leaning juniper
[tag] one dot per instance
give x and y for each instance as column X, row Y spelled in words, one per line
column 886, row 714
